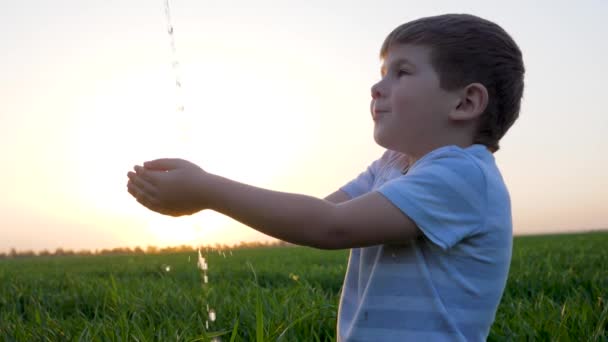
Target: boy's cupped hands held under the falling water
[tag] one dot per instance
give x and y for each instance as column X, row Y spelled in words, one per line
column 172, row 187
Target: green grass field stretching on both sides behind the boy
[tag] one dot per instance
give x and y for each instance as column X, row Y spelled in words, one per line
column 557, row 291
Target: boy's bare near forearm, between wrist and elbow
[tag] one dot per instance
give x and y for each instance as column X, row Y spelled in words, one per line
column 295, row 218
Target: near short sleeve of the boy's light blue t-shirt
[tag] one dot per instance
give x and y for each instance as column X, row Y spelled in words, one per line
column 444, row 194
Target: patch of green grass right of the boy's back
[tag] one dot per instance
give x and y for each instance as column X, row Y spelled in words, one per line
column 557, row 290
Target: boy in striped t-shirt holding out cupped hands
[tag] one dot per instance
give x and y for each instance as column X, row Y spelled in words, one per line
column 429, row 223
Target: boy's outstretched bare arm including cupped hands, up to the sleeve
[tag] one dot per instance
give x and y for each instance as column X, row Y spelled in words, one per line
column 183, row 188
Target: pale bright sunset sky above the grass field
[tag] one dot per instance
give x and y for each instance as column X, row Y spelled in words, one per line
column 276, row 94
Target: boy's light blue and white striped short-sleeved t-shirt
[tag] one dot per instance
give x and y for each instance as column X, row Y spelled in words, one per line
column 447, row 284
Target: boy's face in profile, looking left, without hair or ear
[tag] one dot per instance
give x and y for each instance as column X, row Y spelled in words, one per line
column 409, row 108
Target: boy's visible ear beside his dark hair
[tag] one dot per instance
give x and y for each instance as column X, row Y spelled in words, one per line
column 472, row 102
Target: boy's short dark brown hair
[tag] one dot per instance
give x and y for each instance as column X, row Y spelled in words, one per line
column 467, row 49
